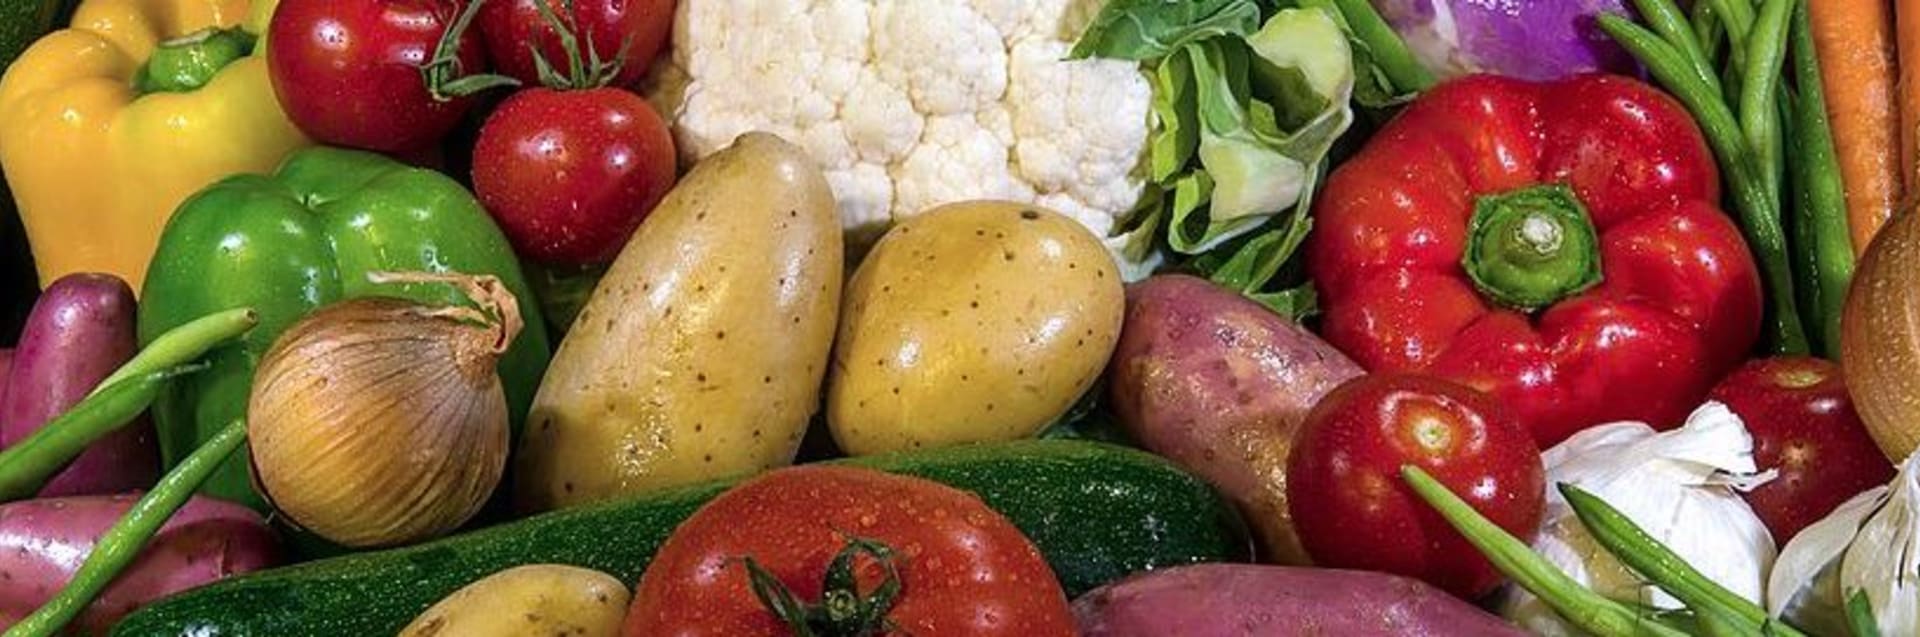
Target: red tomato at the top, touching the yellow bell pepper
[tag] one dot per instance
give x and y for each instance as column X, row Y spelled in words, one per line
column 348, row 72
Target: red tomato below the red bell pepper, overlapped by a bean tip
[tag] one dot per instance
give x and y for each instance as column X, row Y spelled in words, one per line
column 1353, row 507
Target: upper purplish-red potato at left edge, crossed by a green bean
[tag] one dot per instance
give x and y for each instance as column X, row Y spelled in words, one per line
column 80, row 333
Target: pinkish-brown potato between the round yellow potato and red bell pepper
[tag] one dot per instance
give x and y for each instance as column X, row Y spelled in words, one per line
column 1220, row 385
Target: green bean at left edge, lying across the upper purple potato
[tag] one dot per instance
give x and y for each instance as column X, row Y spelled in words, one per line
column 28, row 465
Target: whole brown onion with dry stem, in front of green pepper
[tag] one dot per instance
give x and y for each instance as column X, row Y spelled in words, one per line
column 383, row 421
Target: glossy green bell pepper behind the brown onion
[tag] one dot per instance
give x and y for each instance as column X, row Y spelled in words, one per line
column 304, row 239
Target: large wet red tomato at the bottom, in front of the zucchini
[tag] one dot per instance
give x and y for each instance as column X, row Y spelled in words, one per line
column 967, row 571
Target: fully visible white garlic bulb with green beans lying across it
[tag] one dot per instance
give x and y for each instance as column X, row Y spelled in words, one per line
column 1681, row 486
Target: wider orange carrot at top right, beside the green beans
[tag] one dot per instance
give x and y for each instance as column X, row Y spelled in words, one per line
column 1875, row 130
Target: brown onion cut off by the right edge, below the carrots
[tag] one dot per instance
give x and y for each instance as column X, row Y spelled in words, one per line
column 1881, row 339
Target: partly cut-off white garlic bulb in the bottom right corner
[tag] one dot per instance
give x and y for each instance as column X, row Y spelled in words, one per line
column 1869, row 544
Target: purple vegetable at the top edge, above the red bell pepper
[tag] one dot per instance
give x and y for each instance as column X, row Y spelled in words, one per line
column 1527, row 39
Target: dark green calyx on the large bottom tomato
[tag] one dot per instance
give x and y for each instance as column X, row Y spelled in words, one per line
column 842, row 611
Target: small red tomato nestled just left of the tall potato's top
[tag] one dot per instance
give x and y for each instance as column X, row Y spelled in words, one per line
column 571, row 174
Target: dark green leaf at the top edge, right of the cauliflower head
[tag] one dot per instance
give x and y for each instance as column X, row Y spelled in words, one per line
column 1153, row 30
